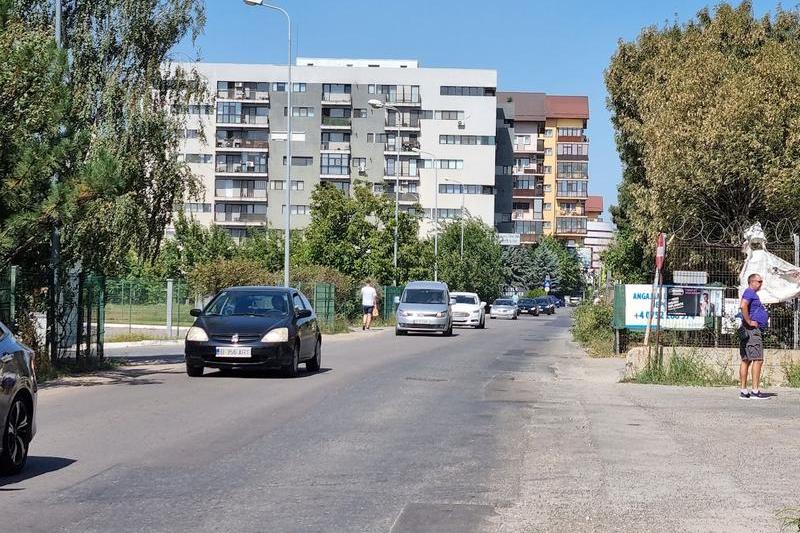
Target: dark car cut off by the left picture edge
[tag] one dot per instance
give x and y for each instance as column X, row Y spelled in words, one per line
column 17, row 402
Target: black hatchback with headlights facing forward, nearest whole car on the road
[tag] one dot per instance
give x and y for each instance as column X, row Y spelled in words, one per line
column 254, row 327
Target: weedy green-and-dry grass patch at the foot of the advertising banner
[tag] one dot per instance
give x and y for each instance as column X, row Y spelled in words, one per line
column 689, row 370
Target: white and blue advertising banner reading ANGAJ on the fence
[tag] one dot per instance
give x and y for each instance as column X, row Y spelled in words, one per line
column 682, row 308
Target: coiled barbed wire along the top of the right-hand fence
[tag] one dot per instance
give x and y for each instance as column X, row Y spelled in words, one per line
column 697, row 230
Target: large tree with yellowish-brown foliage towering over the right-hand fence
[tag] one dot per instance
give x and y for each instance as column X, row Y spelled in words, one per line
column 707, row 128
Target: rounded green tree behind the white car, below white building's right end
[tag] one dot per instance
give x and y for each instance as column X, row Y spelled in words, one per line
column 481, row 268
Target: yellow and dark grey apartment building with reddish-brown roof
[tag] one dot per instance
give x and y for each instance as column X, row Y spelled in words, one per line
column 542, row 166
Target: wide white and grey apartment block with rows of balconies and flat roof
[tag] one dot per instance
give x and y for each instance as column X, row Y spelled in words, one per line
column 439, row 121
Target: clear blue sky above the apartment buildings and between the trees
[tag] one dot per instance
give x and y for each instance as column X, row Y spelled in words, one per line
column 556, row 47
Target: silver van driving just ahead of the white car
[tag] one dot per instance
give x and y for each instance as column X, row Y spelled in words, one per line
column 425, row 306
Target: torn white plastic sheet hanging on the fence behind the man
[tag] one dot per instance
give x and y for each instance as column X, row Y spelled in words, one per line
column 781, row 278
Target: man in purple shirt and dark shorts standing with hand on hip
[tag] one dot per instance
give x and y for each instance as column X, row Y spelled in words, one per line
column 751, row 345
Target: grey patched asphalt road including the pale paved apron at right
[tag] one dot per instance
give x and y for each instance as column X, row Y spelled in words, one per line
column 507, row 429
